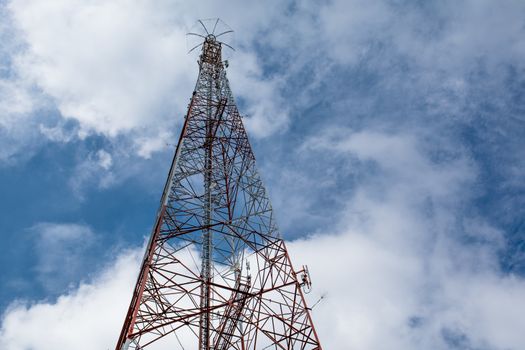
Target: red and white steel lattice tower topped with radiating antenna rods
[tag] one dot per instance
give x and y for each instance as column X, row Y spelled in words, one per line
column 216, row 274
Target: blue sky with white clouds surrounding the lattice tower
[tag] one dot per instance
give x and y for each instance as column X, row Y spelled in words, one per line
column 390, row 136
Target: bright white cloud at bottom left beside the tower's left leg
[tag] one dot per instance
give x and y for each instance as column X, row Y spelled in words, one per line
column 86, row 318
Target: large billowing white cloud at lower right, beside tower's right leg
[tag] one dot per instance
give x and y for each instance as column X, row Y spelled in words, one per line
column 405, row 271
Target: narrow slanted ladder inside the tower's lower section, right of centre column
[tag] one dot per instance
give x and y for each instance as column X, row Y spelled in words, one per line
column 232, row 314
